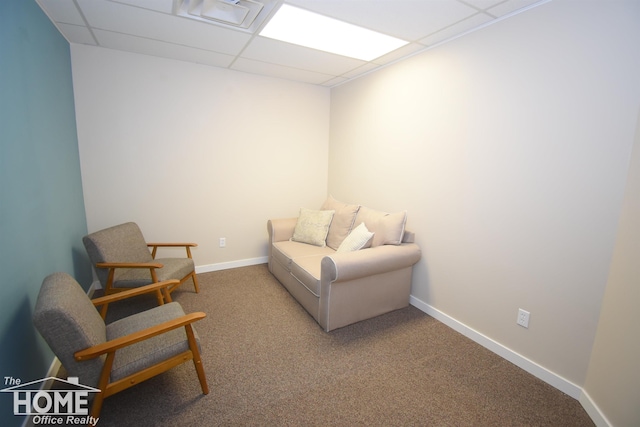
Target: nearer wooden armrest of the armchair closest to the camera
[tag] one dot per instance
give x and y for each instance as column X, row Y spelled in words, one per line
column 113, row 345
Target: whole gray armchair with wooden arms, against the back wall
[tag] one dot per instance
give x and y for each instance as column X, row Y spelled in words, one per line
column 122, row 259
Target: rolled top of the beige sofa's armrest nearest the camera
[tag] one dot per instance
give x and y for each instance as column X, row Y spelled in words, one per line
column 343, row 266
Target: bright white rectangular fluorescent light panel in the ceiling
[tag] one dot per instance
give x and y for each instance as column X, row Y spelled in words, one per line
column 298, row 26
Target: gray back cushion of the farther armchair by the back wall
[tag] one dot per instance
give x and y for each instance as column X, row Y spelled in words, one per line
column 120, row 243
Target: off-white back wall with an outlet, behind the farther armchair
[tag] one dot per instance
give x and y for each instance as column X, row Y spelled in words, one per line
column 195, row 153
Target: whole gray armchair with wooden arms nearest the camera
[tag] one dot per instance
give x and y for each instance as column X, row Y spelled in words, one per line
column 121, row 354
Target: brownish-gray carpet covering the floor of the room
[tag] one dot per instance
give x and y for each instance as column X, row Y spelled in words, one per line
column 268, row 363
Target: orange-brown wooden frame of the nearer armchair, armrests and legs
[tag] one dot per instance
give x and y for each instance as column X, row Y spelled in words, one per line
column 109, row 348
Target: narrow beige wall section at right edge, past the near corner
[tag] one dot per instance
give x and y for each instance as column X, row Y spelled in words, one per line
column 613, row 380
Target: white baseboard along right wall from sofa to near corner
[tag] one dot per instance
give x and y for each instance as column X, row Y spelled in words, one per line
column 531, row 367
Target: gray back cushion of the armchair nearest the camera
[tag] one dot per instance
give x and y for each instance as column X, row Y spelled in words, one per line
column 69, row 322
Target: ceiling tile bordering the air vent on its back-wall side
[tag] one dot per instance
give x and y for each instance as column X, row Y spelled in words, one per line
column 154, row 25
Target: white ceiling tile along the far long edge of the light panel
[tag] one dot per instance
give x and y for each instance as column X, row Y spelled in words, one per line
column 281, row 53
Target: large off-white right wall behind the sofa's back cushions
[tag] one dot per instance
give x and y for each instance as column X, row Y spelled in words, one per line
column 509, row 148
